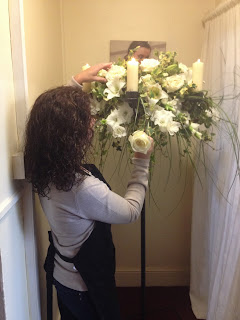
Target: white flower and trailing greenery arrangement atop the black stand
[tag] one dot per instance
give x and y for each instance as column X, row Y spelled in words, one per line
column 169, row 105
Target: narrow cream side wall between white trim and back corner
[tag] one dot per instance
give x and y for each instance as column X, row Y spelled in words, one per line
column 42, row 24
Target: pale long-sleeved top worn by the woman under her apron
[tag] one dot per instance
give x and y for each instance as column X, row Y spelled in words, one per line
column 72, row 215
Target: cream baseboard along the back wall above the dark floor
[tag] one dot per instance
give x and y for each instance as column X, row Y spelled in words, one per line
column 154, row 277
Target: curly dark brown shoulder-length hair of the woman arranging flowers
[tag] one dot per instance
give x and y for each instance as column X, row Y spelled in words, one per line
column 58, row 136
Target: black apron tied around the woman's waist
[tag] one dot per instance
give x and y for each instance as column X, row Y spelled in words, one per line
column 95, row 262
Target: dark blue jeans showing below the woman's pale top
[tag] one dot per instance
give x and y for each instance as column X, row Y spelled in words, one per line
column 74, row 305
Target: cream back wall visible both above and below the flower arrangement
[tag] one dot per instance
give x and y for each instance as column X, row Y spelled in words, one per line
column 88, row 27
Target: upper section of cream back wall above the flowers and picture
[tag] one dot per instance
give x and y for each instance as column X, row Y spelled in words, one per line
column 88, row 28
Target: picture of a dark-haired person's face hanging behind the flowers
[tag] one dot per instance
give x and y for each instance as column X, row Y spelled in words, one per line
column 121, row 48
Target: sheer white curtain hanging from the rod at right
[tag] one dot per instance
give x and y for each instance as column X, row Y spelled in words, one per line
column 215, row 253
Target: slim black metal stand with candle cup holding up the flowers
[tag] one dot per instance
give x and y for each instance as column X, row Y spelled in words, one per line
column 132, row 98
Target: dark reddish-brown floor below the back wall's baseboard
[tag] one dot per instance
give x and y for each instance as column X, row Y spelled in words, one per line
column 161, row 303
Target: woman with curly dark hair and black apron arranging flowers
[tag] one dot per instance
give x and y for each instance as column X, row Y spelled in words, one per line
column 77, row 201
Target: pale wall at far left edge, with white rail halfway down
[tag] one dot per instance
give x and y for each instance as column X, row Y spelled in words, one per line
column 11, row 229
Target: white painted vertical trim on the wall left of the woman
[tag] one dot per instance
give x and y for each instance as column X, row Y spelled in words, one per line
column 21, row 105
